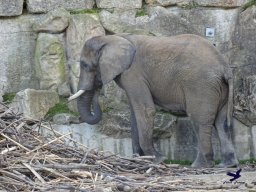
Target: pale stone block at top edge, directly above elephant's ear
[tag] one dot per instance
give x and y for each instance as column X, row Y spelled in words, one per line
column 124, row 4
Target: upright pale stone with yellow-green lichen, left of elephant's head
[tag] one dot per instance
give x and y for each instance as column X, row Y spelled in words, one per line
column 50, row 60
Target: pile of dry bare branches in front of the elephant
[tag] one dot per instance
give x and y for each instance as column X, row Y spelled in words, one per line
column 32, row 162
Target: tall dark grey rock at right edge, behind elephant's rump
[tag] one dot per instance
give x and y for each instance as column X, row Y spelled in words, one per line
column 243, row 59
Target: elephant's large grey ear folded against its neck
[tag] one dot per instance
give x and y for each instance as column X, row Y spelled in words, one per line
column 116, row 56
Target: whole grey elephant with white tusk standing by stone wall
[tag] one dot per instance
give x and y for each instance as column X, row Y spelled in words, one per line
column 184, row 75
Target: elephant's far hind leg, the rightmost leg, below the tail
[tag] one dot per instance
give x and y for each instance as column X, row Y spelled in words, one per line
column 228, row 156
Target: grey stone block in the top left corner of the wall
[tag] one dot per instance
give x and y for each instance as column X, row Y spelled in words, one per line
column 11, row 8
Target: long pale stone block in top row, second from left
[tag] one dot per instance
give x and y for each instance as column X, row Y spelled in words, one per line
column 43, row 6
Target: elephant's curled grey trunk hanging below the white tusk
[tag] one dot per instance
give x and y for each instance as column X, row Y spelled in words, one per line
column 84, row 103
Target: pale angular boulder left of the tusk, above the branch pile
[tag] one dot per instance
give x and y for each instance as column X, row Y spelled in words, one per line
column 35, row 104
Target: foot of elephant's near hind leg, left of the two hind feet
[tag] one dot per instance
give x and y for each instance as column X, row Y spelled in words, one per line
column 203, row 161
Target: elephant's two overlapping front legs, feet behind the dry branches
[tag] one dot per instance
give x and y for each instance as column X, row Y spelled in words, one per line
column 143, row 108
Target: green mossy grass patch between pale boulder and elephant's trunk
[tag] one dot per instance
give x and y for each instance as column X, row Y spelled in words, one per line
column 60, row 107
